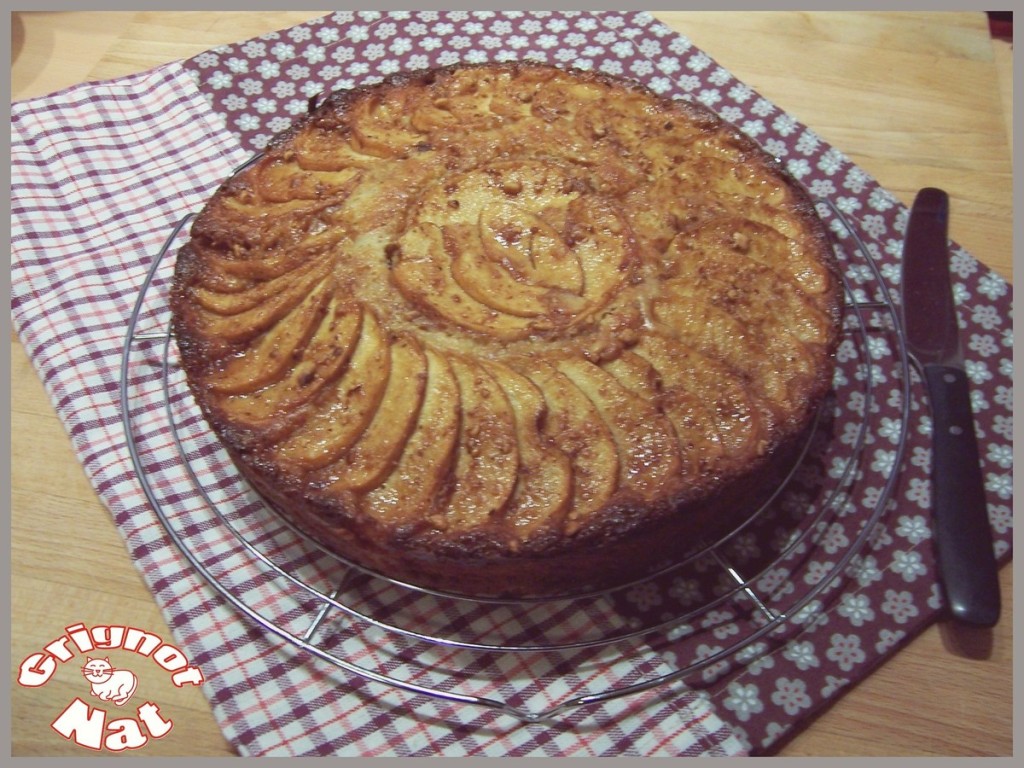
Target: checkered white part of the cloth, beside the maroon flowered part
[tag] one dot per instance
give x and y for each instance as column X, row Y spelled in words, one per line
column 101, row 176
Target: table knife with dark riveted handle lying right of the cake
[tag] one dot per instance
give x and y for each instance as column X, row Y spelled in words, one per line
column 963, row 537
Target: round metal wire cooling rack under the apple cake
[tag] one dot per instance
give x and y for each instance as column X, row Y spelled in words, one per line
column 541, row 659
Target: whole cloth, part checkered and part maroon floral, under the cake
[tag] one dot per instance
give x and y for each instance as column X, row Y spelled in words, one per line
column 101, row 176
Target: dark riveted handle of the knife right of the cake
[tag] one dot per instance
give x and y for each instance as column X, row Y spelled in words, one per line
column 963, row 534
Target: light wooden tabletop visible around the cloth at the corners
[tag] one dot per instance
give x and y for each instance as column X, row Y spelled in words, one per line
column 915, row 100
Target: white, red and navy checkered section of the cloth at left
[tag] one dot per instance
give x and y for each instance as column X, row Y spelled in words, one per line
column 101, row 175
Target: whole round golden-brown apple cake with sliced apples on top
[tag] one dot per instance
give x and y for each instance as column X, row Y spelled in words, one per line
column 509, row 330
